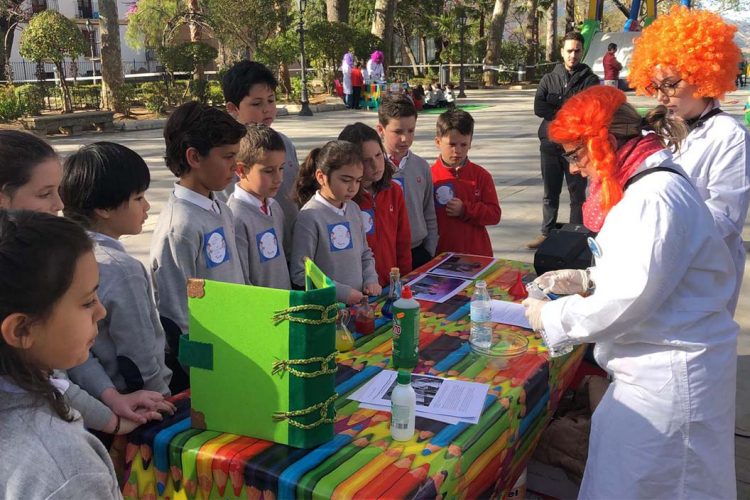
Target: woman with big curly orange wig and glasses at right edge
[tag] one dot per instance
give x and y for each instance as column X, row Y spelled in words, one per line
column 716, row 153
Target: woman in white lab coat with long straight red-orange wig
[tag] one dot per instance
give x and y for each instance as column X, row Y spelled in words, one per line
column 655, row 304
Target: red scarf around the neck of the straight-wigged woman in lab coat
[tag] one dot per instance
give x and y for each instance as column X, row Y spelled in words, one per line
column 628, row 158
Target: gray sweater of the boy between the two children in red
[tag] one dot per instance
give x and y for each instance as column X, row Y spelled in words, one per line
column 416, row 180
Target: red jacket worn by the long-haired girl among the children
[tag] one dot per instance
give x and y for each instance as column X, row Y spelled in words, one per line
column 389, row 234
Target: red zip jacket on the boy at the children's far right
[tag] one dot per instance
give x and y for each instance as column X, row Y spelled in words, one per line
column 474, row 186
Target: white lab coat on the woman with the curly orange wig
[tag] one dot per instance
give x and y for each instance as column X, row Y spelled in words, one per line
column 716, row 156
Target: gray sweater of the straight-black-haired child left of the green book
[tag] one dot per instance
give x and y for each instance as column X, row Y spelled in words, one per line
column 129, row 351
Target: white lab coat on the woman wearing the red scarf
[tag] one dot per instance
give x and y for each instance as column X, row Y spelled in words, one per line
column 659, row 318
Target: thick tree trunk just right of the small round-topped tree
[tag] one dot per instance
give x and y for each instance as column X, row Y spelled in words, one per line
column 112, row 78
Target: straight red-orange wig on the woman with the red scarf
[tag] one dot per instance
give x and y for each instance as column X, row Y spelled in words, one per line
column 584, row 119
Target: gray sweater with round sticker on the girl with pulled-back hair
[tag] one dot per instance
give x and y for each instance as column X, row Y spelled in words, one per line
column 337, row 244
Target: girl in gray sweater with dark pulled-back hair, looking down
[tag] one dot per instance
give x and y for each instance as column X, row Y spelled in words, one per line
column 329, row 227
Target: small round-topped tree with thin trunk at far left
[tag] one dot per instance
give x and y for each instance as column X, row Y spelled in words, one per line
column 52, row 37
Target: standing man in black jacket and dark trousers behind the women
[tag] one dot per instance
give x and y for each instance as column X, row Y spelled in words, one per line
column 556, row 87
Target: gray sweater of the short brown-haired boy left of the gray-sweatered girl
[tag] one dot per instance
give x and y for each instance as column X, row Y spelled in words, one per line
column 260, row 243
